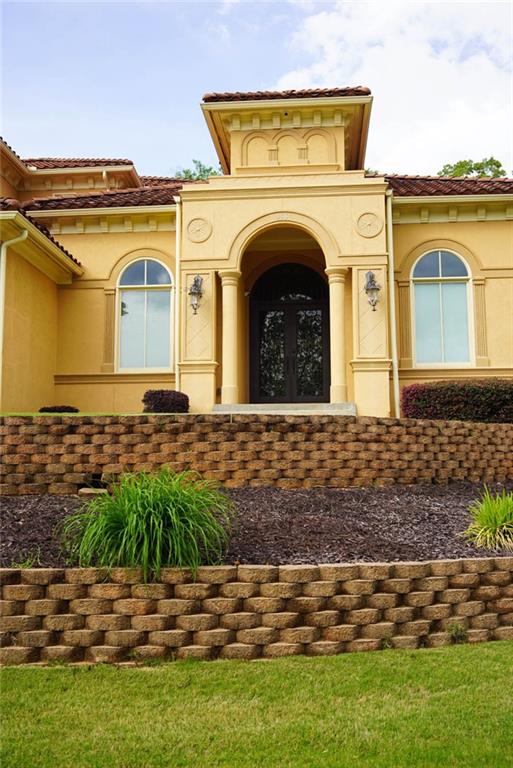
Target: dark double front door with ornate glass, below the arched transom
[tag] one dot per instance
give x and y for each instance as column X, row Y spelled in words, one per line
column 290, row 352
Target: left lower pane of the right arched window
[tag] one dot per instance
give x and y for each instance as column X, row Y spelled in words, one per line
column 428, row 332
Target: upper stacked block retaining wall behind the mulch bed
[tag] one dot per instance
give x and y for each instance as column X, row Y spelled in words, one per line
column 60, row 454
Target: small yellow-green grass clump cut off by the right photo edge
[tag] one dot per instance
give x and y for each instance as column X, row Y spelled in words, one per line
column 492, row 521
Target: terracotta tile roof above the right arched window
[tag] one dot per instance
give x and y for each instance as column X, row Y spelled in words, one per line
column 419, row 186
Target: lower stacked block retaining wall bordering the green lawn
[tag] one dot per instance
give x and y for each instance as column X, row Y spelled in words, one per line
column 251, row 611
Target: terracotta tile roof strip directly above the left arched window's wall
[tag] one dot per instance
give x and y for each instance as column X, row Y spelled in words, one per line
column 152, row 195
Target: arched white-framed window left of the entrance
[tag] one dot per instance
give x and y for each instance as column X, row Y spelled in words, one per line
column 144, row 315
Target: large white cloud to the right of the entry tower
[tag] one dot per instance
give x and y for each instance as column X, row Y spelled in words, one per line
column 440, row 74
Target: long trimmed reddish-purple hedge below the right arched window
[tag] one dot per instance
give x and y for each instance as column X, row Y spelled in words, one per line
column 488, row 400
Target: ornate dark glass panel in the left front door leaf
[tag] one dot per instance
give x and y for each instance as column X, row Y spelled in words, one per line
column 271, row 354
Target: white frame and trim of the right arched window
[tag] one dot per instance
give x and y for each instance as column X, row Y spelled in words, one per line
column 470, row 311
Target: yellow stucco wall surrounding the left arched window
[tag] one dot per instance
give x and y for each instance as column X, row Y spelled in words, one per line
column 85, row 376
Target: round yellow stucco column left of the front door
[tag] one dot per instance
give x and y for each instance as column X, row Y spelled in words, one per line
column 230, row 285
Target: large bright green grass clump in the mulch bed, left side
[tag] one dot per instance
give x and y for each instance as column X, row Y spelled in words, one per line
column 151, row 521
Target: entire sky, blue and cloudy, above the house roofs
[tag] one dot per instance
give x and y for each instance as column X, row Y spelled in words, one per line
column 124, row 79
